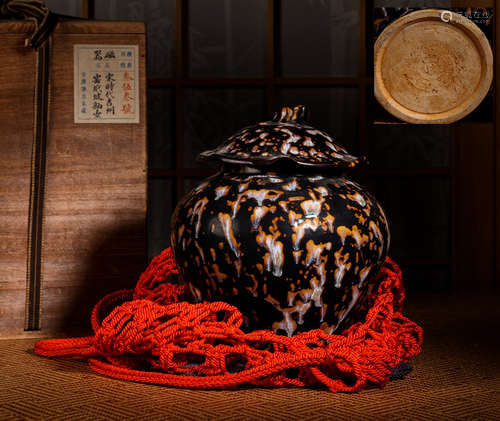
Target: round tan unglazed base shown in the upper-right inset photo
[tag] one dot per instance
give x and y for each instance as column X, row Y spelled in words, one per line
column 431, row 71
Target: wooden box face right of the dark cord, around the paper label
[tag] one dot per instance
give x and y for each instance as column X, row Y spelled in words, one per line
column 94, row 241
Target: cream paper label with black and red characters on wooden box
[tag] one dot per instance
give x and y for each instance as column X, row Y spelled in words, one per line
column 106, row 83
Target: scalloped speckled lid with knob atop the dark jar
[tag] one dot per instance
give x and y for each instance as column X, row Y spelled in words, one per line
column 286, row 137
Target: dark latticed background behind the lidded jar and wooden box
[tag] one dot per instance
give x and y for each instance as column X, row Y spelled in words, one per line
column 217, row 65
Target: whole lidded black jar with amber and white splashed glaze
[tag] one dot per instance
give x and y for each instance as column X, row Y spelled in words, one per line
column 279, row 231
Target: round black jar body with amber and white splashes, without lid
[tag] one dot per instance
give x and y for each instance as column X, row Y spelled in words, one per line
column 293, row 259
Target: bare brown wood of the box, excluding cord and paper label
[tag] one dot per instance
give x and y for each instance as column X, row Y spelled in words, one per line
column 95, row 207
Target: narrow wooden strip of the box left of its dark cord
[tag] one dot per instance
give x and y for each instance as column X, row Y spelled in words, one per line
column 17, row 88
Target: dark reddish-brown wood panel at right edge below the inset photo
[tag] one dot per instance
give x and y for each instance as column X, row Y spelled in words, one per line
column 473, row 246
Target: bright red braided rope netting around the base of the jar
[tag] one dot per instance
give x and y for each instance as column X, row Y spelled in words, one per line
column 148, row 335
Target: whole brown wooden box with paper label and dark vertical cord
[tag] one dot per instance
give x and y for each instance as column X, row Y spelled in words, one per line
column 77, row 232
